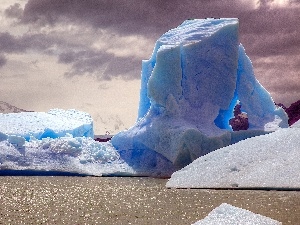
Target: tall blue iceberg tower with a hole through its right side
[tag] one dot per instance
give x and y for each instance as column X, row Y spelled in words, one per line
column 196, row 75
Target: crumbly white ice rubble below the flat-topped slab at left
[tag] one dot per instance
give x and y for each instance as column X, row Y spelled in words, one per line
column 80, row 155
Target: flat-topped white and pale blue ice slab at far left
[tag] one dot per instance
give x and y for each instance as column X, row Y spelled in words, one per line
column 55, row 123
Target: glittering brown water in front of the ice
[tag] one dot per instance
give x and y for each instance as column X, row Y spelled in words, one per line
column 124, row 200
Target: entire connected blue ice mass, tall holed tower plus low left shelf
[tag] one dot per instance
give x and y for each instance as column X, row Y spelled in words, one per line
column 189, row 87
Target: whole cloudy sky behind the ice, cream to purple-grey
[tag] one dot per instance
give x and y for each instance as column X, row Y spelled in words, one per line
column 86, row 54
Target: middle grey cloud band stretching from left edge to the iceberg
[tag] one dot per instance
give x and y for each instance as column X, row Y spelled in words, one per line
column 82, row 58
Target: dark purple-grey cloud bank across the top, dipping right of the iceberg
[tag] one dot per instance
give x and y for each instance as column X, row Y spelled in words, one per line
column 152, row 18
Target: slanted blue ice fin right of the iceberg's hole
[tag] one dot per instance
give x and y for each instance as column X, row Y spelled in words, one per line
column 254, row 98
